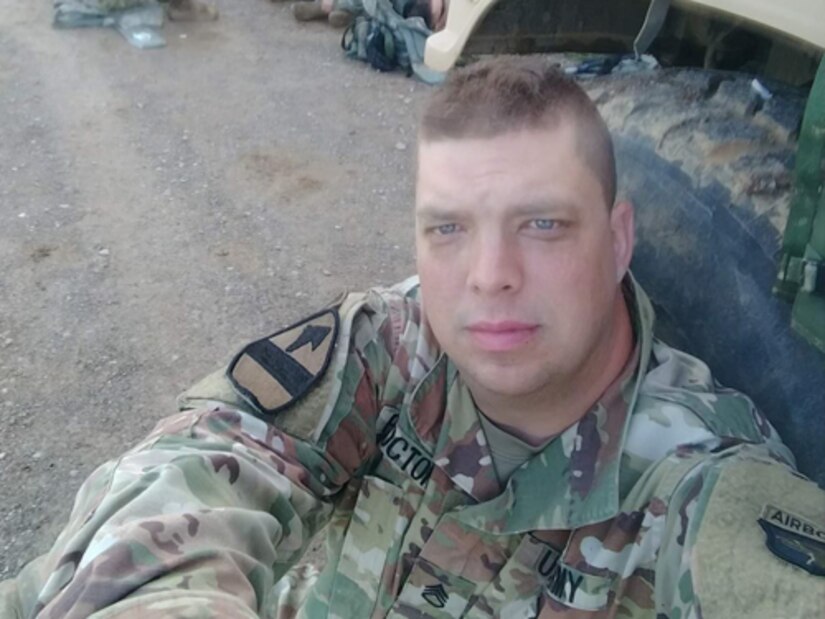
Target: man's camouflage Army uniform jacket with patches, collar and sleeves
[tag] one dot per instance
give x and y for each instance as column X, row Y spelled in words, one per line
column 206, row 517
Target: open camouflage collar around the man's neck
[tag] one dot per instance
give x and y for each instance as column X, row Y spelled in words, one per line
column 574, row 481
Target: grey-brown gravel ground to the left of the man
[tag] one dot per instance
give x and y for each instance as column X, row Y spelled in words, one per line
column 160, row 208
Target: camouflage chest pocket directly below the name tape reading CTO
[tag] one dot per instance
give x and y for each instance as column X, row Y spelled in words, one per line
column 369, row 555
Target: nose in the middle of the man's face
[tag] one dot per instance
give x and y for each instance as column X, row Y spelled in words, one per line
column 495, row 266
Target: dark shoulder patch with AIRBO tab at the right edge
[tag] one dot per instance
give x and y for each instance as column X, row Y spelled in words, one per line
column 794, row 540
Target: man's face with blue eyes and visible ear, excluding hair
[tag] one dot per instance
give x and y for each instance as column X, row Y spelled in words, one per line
column 520, row 258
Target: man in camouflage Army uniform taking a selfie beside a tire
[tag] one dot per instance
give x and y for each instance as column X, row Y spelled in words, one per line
column 506, row 438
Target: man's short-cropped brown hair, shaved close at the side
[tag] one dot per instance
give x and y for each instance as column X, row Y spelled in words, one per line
column 504, row 94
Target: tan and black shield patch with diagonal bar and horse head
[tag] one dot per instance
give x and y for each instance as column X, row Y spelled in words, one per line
column 276, row 371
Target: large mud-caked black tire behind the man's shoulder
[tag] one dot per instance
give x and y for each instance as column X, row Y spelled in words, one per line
column 709, row 168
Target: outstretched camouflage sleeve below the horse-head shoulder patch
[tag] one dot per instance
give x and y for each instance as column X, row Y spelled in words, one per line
column 207, row 512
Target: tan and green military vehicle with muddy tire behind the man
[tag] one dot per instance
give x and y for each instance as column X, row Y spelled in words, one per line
column 722, row 150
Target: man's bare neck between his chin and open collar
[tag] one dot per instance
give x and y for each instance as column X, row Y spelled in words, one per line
column 564, row 400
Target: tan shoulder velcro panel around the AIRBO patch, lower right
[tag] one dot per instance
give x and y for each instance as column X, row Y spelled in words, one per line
column 743, row 569
